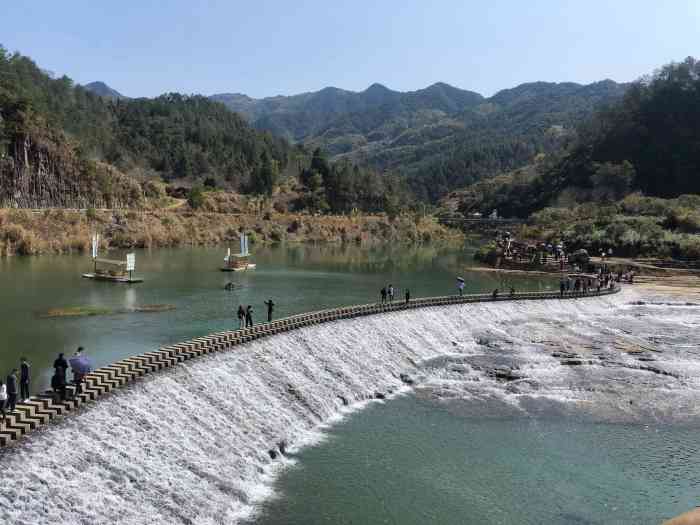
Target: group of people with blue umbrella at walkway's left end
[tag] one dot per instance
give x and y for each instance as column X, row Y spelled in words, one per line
column 15, row 388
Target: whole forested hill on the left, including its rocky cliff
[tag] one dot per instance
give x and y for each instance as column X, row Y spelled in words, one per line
column 62, row 145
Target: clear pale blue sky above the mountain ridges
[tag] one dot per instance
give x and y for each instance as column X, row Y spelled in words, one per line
column 265, row 48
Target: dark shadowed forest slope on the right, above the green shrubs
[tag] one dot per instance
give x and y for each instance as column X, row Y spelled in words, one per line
column 647, row 142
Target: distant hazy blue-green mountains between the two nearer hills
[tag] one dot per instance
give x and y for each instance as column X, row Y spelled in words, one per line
column 440, row 137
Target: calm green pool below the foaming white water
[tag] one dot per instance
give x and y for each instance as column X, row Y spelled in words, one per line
column 413, row 462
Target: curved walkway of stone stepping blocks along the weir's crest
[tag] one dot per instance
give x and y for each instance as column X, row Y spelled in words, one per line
column 42, row 409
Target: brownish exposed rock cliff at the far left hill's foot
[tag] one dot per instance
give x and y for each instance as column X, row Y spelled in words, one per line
column 43, row 171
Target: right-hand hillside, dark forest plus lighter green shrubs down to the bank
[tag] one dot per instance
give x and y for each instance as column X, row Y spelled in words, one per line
column 630, row 182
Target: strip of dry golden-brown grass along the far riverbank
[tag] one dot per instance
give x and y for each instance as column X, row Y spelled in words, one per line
column 38, row 232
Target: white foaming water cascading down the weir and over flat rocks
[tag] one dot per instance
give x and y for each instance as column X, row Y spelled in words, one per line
column 192, row 444
